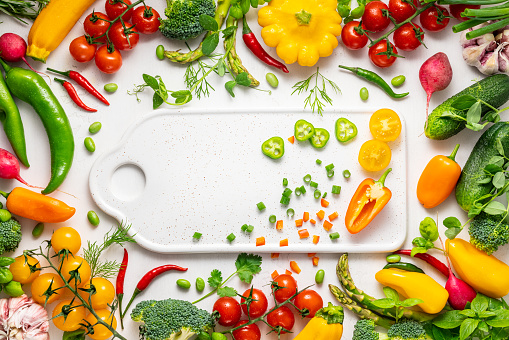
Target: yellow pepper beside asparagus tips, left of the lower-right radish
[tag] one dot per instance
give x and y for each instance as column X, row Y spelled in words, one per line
column 416, row 286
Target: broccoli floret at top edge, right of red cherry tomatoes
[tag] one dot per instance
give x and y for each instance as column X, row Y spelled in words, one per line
column 183, row 18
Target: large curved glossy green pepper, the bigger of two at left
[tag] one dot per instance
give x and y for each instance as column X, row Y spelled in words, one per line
column 28, row 86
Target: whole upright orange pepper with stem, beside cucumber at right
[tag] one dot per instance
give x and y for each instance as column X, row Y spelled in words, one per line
column 438, row 179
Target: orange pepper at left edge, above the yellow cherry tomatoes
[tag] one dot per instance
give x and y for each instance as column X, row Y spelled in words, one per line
column 36, row 206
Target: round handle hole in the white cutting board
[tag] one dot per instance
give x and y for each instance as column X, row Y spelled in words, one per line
column 128, row 182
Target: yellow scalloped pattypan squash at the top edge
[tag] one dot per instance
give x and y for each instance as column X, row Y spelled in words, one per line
column 301, row 30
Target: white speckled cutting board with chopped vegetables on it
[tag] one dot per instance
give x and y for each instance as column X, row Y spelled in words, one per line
column 177, row 172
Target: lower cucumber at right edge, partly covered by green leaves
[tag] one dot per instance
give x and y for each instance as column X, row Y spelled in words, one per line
column 468, row 189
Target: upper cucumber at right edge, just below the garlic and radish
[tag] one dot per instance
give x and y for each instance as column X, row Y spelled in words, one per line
column 494, row 90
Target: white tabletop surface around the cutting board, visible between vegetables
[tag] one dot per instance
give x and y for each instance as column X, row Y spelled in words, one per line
column 124, row 110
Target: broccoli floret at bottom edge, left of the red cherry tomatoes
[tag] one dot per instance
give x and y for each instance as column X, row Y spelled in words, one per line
column 170, row 319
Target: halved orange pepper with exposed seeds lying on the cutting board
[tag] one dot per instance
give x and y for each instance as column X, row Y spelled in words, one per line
column 369, row 199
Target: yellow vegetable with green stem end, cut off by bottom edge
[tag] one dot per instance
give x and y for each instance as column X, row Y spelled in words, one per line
column 327, row 324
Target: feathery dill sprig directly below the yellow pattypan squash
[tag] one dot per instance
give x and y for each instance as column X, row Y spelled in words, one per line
column 318, row 93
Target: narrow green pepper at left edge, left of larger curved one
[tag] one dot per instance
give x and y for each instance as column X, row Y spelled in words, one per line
column 11, row 121
